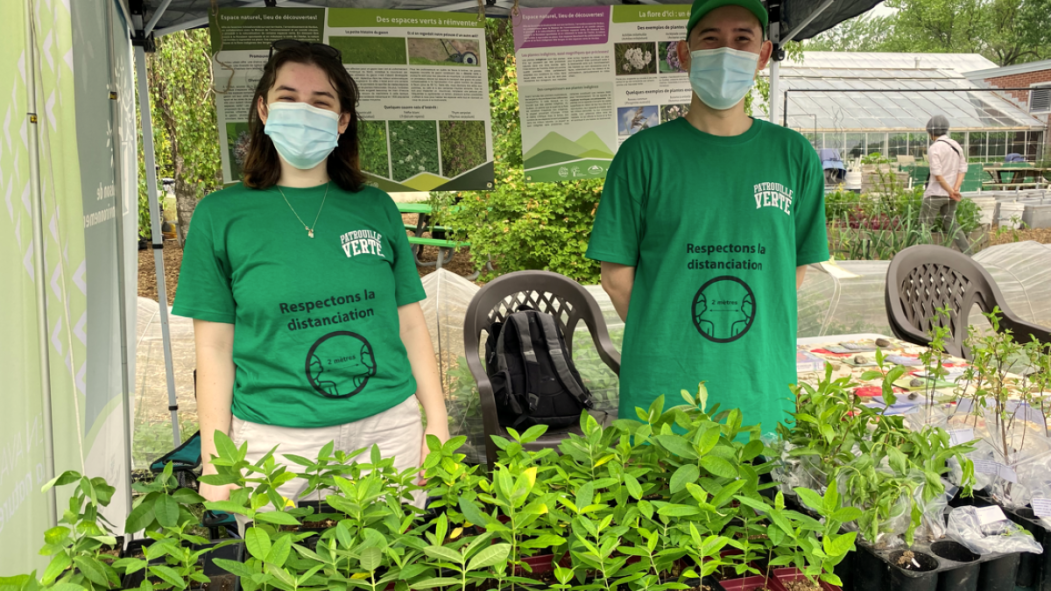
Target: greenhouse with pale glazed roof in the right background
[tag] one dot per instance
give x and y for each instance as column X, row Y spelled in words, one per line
column 867, row 104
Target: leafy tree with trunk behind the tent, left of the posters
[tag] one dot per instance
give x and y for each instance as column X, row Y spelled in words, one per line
column 186, row 131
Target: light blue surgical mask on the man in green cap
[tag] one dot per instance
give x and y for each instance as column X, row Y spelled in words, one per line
column 723, row 77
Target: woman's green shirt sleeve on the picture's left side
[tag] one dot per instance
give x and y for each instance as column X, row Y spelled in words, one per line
column 204, row 279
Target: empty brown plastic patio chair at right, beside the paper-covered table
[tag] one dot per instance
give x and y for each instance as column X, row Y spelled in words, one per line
column 925, row 278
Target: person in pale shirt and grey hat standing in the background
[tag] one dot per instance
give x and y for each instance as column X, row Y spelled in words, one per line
column 949, row 166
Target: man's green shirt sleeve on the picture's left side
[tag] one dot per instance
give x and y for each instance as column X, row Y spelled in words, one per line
column 616, row 233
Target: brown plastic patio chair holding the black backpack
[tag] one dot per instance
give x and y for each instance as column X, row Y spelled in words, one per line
column 544, row 292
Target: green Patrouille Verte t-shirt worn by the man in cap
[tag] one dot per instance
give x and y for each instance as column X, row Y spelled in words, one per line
column 715, row 228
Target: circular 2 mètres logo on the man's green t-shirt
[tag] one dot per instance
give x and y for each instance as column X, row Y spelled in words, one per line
column 725, row 310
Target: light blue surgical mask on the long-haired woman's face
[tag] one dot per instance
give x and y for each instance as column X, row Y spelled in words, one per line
column 304, row 135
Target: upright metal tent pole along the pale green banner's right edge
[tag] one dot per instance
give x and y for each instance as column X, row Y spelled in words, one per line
column 115, row 113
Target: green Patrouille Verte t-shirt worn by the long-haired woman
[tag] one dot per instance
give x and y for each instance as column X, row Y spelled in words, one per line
column 317, row 333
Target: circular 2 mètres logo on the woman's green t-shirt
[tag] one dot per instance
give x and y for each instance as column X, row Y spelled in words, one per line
column 341, row 364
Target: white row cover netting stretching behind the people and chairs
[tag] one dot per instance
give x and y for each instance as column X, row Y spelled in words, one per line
column 828, row 305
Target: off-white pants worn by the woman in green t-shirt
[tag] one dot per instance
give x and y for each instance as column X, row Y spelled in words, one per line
column 398, row 432
